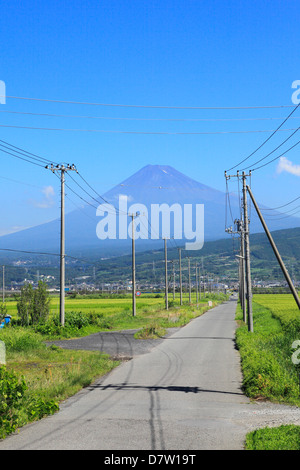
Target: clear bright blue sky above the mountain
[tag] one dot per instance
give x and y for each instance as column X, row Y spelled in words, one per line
column 184, row 54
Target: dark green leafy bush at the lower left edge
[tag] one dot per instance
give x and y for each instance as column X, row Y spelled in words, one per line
column 11, row 393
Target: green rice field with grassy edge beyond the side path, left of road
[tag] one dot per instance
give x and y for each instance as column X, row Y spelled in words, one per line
column 92, row 313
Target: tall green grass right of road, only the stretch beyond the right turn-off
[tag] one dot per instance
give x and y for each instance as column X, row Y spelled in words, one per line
column 267, row 367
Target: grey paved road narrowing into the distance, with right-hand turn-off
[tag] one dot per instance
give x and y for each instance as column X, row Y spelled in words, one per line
column 185, row 394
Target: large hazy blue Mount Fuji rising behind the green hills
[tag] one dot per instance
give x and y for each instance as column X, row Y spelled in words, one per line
column 153, row 184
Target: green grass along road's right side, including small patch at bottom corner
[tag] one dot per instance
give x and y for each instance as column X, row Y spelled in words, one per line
column 268, row 371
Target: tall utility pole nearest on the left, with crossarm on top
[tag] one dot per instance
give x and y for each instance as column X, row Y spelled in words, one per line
column 63, row 169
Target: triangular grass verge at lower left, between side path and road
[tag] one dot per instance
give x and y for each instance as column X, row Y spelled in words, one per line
column 50, row 374
